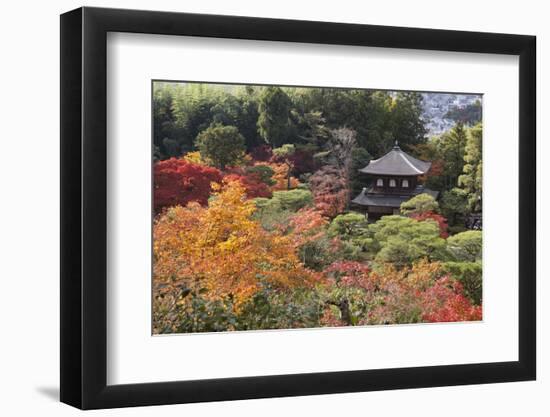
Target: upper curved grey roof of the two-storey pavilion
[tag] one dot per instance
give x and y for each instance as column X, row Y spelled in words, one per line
column 396, row 162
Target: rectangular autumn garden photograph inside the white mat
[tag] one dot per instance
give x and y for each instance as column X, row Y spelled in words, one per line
column 299, row 207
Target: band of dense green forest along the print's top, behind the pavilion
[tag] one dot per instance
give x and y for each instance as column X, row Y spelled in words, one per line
column 275, row 115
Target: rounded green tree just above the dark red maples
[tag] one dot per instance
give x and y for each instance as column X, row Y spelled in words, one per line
column 221, row 145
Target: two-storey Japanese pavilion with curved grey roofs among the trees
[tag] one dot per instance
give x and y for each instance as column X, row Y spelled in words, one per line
column 394, row 180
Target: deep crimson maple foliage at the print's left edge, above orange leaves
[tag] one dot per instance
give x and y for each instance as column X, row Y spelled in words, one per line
column 179, row 182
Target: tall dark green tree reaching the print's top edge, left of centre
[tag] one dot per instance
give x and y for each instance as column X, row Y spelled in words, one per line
column 274, row 124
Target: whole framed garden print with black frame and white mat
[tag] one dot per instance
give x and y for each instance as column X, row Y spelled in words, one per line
column 257, row 208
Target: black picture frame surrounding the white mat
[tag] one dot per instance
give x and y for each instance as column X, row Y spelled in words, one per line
column 84, row 207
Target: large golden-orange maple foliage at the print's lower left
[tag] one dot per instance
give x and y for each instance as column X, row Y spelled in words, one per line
column 222, row 250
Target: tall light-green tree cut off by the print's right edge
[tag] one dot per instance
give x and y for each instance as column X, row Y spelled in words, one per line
column 471, row 180
